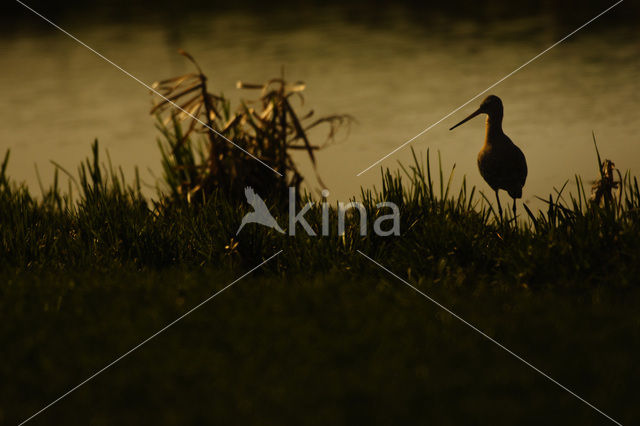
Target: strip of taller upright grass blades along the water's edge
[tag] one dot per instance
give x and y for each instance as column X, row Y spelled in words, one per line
column 100, row 222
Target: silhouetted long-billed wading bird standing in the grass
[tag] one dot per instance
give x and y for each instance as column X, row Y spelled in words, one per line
column 501, row 163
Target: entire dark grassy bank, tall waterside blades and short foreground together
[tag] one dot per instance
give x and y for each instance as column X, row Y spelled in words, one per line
column 319, row 335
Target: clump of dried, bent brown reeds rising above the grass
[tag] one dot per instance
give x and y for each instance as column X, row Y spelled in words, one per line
column 250, row 146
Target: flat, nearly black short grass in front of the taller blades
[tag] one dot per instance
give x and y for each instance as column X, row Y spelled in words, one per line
column 336, row 349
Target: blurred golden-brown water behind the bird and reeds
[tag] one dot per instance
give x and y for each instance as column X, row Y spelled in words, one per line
column 396, row 67
